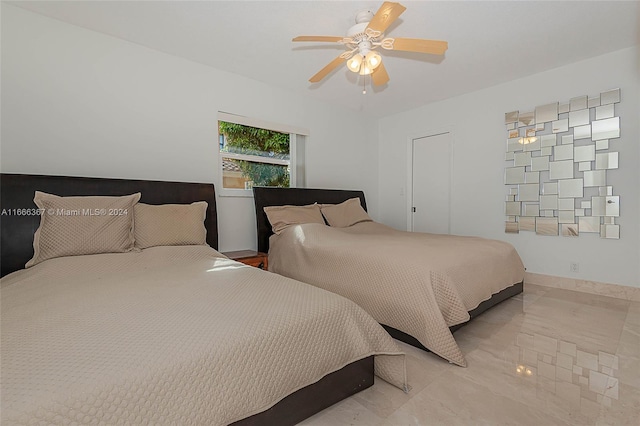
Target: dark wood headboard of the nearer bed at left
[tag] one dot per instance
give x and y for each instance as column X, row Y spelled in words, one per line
column 17, row 191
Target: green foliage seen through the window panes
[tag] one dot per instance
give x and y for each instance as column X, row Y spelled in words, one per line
column 252, row 139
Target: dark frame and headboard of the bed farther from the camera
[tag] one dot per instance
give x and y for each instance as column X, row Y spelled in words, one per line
column 271, row 196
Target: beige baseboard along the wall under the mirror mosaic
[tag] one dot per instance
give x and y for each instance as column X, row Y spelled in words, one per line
column 593, row 287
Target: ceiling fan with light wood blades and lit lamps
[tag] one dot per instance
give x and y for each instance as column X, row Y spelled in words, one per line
column 367, row 35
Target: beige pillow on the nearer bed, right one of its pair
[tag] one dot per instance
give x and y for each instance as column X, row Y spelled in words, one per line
column 170, row 224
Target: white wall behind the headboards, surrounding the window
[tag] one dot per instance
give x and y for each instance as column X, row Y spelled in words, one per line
column 80, row 103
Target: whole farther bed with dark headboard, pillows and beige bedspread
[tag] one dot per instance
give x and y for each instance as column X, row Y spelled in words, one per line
column 420, row 287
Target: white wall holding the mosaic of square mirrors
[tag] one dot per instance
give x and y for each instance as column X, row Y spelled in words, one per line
column 477, row 122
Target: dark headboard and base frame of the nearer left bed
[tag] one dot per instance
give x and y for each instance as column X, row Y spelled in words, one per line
column 17, row 229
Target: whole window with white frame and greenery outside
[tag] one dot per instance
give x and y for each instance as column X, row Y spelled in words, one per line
column 258, row 153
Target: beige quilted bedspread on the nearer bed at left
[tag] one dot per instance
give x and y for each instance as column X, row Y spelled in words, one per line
column 170, row 335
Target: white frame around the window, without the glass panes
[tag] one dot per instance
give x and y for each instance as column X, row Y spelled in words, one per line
column 297, row 136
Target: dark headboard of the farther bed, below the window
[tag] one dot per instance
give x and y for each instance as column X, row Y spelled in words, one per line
column 271, row 196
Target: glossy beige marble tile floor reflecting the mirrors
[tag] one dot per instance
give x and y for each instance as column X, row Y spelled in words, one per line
column 545, row 357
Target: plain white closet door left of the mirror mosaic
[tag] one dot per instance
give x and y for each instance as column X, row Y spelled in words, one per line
column 431, row 184
